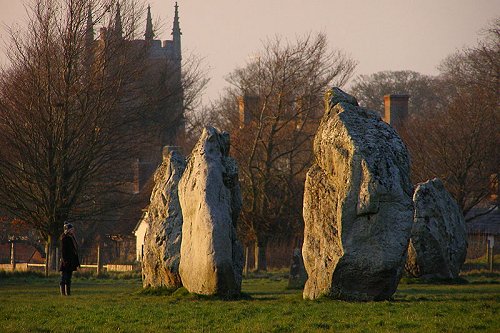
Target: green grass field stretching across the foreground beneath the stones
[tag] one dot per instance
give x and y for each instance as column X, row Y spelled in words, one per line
column 31, row 304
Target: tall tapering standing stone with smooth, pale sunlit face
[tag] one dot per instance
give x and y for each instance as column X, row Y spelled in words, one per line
column 209, row 192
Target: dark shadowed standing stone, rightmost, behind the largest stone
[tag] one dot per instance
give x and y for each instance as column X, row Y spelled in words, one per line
column 438, row 243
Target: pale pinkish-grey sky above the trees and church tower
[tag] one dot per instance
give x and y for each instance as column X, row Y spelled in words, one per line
column 379, row 34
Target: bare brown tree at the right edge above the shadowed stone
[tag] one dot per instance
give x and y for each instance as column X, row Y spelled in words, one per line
column 459, row 141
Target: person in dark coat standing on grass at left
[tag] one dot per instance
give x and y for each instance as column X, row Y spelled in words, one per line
column 69, row 258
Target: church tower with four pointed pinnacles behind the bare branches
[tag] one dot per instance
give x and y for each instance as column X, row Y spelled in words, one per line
column 160, row 82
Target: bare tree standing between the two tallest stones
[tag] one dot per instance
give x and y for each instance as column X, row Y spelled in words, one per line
column 286, row 81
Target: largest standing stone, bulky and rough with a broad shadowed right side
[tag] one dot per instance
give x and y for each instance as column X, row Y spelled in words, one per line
column 357, row 205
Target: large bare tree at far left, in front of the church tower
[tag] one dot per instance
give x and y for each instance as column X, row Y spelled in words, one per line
column 67, row 107
